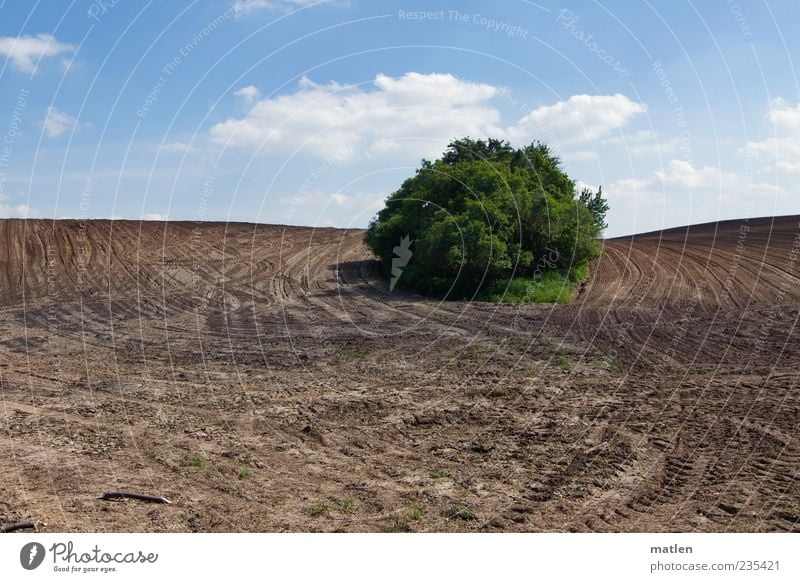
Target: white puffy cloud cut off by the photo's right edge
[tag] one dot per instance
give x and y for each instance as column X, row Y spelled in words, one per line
column 780, row 152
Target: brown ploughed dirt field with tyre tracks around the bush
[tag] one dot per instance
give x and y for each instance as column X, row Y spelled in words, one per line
column 261, row 378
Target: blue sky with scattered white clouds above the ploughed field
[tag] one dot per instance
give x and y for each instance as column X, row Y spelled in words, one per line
column 311, row 112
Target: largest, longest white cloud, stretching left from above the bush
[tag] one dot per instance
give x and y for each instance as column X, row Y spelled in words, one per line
column 415, row 113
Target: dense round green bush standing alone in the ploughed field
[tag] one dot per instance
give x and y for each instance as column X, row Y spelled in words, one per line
column 485, row 214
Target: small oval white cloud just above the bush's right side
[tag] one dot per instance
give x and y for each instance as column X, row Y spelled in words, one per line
column 581, row 118
